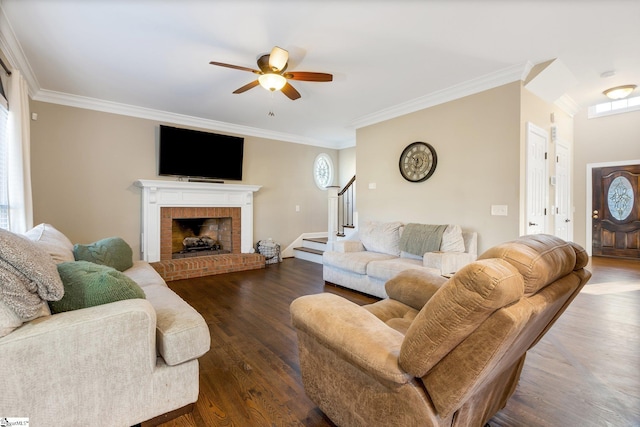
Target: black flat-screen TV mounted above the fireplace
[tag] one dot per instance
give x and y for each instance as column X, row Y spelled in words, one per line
column 202, row 155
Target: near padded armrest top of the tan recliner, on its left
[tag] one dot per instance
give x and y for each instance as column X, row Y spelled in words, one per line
column 351, row 332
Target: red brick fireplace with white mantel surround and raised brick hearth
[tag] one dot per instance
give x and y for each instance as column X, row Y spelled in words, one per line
column 174, row 213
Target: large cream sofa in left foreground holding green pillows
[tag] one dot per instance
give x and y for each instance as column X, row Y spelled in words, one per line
column 116, row 364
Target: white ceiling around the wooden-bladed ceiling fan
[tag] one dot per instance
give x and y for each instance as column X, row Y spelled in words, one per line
column 150, row 58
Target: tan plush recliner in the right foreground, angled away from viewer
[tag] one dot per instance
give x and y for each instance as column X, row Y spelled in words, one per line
column 436, row 352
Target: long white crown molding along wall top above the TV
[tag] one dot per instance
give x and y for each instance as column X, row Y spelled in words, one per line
column 168, row 117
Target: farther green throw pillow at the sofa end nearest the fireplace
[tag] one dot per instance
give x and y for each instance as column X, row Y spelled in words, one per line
column 112, row 251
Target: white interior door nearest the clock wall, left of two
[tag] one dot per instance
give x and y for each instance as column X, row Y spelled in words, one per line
column 537, row 182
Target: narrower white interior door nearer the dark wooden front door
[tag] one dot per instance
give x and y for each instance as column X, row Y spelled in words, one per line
column 563, row 214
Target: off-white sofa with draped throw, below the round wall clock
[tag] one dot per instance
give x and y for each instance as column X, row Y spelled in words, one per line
column 375, row 254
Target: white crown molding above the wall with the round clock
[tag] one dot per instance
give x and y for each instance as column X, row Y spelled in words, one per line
column 470, row 87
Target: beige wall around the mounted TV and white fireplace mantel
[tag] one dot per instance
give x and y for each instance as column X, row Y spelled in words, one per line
column 84, row 164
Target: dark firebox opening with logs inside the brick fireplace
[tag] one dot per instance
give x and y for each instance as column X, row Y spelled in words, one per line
column 193, row 237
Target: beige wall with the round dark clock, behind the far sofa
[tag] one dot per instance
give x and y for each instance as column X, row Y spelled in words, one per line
column 477, row 140
